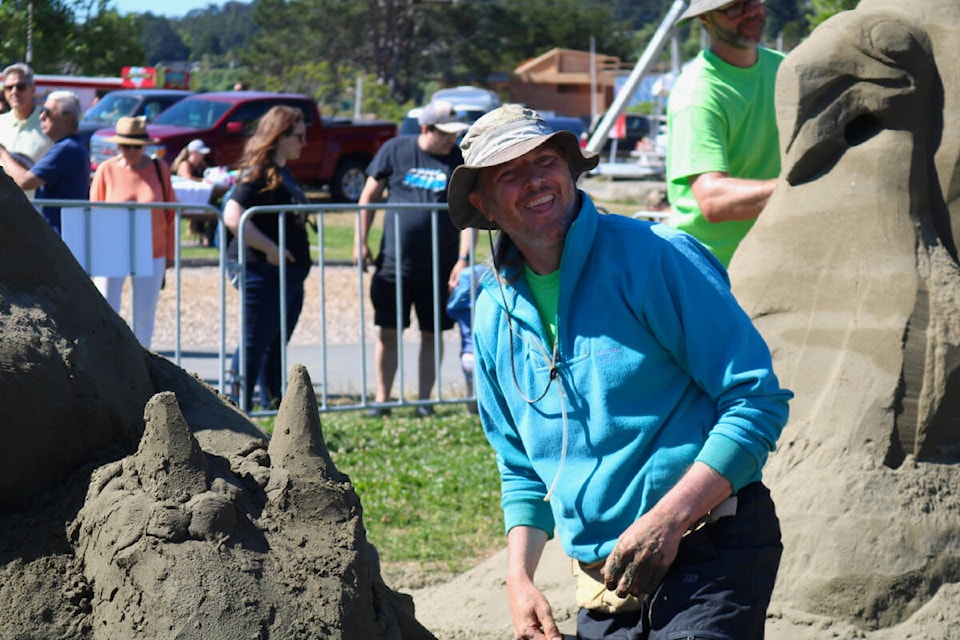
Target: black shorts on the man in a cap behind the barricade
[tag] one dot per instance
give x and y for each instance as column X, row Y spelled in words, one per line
column 415, row 292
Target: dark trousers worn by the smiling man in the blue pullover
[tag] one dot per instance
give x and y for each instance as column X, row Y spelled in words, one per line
column 718, row 588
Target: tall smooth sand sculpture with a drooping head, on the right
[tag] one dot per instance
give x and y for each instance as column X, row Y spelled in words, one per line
column 851, row 273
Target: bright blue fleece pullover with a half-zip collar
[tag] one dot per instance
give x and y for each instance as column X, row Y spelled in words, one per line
column 656, row 367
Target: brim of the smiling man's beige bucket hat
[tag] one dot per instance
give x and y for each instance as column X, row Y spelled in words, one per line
column 464, row 179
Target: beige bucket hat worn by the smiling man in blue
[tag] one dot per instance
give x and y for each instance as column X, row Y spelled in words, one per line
column 504, row 134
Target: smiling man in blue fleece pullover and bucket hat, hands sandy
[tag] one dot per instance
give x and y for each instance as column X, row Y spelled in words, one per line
column 629, row 399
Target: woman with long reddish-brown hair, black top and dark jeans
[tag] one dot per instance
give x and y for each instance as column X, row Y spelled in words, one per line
column 266, row 180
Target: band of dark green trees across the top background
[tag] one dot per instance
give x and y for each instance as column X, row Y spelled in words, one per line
column 401, row 50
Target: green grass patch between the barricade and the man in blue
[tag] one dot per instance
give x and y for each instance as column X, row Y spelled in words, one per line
column 429, row 487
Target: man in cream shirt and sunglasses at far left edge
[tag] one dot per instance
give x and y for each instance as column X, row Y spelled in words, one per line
column 21, row 132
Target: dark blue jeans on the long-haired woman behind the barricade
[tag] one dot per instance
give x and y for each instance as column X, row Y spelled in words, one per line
column 262, row 336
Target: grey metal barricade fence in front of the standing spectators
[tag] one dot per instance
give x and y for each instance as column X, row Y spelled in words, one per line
column 325, row 403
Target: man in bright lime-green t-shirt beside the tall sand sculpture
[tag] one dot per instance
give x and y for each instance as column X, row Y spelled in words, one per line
column 723, row 152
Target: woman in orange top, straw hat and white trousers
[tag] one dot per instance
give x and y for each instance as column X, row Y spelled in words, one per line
column 133, row 176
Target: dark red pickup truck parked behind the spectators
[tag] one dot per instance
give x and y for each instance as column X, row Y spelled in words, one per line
column 336, row 153
